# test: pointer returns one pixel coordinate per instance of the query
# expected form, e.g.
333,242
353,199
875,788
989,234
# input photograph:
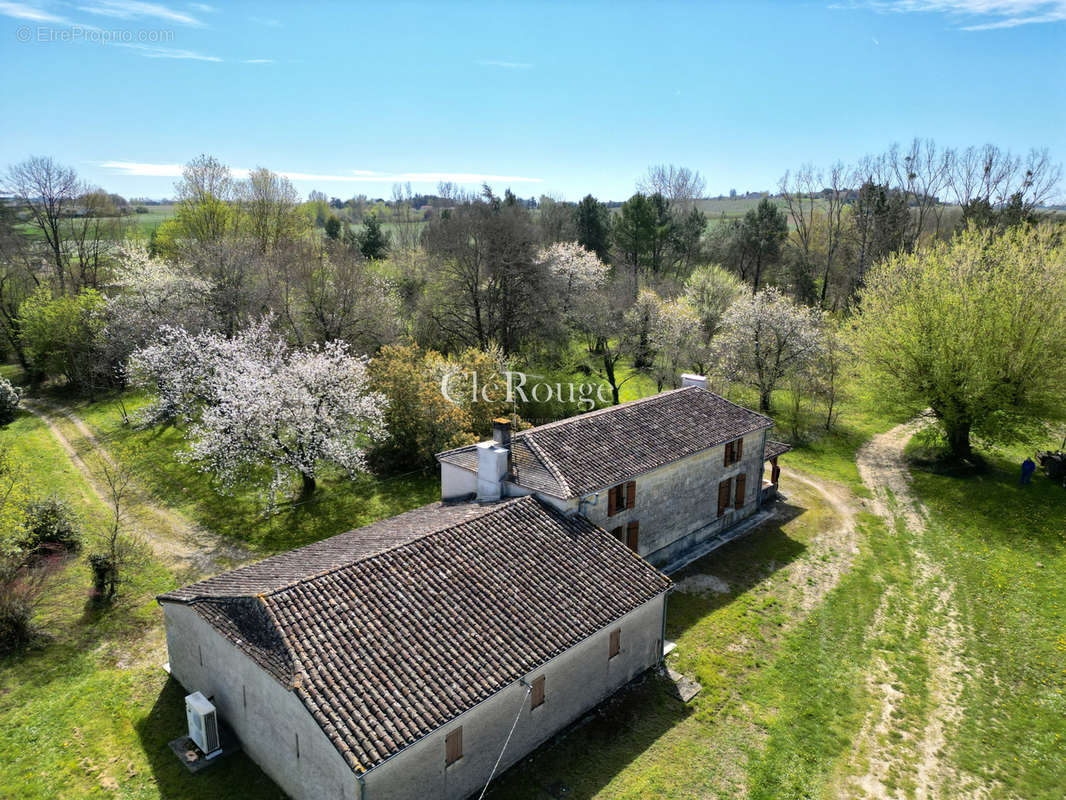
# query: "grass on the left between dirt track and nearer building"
87,711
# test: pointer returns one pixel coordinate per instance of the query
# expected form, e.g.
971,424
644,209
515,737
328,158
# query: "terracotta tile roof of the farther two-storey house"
603,449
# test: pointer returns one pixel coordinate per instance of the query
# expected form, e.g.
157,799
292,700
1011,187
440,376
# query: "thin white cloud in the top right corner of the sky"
975,15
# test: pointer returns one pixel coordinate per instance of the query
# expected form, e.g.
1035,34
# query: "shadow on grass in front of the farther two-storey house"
742,565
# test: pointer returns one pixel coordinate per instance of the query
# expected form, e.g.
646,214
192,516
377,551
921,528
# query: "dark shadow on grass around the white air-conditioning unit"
234,776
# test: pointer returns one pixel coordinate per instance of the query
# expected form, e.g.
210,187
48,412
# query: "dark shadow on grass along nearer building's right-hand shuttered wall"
585,758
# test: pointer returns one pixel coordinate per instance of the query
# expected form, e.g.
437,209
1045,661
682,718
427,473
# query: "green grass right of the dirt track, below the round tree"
1004,546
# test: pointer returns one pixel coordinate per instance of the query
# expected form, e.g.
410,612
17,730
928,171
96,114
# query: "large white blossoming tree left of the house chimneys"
254,404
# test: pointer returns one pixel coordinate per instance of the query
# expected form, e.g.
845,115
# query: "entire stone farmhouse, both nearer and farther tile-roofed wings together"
419,657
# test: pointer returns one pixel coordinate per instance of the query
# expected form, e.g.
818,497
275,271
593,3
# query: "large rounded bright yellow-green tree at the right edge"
973,330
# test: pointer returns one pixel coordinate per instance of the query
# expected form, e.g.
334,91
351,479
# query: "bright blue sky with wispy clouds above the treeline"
559,99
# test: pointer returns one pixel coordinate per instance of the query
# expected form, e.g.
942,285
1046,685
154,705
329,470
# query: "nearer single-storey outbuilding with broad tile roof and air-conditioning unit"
392,662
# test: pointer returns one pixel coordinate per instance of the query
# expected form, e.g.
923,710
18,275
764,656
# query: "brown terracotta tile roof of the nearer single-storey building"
432,613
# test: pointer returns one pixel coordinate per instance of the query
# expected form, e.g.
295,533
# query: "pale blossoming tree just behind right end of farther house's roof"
765,339
